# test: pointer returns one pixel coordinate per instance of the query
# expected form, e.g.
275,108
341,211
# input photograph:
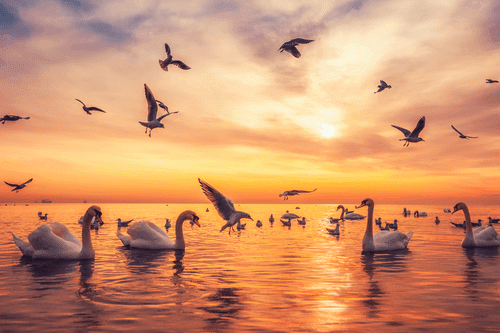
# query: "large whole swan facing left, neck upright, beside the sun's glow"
384,240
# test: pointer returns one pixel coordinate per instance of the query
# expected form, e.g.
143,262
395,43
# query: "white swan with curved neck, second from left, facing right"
146,235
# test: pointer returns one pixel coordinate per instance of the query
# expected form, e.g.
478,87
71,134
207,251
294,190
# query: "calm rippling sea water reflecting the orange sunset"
272,279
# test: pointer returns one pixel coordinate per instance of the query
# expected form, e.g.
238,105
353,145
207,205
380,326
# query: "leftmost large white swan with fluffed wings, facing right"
55,241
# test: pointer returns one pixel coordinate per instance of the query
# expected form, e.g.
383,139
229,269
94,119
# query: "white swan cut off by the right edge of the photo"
481,236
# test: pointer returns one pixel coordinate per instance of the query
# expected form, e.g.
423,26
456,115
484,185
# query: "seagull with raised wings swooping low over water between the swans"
224,206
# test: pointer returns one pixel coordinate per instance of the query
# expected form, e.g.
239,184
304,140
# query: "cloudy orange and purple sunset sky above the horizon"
252,122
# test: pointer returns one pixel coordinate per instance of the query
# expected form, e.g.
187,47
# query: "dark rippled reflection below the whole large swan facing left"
374,265
